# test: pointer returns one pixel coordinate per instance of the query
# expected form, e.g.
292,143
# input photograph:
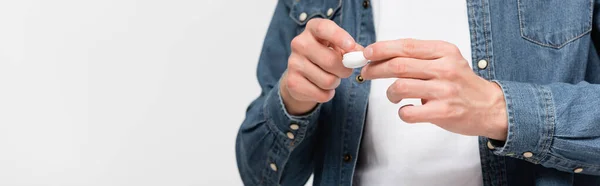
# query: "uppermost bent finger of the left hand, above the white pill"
327,30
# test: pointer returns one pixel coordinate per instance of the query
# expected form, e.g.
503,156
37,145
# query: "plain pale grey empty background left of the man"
126,92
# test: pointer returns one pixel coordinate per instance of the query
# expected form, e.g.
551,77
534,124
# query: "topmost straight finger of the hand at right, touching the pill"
411,48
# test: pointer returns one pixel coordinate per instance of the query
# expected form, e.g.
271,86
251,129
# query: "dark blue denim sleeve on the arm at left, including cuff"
272,146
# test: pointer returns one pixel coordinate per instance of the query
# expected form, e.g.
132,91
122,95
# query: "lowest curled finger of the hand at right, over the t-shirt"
431,112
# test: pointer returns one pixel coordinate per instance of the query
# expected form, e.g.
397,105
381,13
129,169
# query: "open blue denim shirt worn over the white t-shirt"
541,52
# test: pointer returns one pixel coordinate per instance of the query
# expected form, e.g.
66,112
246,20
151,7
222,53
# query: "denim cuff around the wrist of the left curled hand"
290,128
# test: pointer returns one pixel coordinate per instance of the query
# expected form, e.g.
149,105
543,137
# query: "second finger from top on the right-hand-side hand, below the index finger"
400,67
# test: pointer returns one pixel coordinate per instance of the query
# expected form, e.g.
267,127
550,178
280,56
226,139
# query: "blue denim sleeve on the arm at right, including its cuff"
556,125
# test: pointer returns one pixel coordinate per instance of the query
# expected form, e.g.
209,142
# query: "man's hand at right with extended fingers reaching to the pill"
454,97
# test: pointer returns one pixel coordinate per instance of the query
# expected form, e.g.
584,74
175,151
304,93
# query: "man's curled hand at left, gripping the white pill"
315,65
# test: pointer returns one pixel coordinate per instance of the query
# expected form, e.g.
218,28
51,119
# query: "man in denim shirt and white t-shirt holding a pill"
485,93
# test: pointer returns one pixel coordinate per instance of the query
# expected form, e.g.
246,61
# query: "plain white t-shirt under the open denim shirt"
394,152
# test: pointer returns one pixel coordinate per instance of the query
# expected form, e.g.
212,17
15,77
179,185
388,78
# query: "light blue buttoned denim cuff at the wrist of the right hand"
530,111
